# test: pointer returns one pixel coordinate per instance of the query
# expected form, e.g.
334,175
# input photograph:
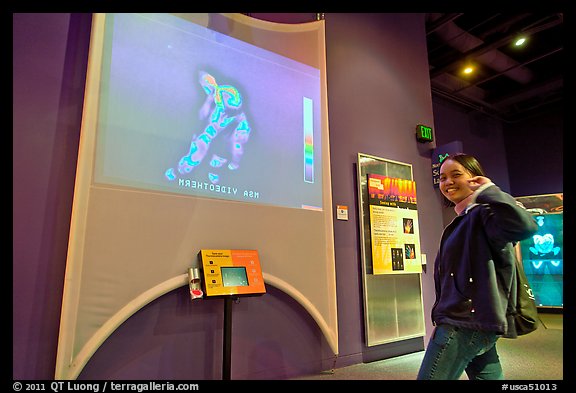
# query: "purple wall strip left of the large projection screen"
49,61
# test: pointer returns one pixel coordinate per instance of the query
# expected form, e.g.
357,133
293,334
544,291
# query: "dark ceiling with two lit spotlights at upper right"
511,84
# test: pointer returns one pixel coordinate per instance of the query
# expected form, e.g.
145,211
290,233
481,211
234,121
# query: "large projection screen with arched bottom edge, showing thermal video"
199,131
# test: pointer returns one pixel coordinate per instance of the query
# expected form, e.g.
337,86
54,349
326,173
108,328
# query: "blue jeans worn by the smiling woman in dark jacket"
453,350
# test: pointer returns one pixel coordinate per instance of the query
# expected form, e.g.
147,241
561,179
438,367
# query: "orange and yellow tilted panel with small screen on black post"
231,272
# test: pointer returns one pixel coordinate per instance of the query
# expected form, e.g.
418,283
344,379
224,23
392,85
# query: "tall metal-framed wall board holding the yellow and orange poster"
391,278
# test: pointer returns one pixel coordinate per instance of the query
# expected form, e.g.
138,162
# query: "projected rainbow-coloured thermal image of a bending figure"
221,110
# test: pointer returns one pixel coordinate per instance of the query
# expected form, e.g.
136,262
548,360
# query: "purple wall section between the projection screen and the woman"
378,91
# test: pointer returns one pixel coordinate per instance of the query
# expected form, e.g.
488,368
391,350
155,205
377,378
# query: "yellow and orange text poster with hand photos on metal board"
394,233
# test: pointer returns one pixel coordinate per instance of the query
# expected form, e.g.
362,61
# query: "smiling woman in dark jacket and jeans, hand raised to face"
474,273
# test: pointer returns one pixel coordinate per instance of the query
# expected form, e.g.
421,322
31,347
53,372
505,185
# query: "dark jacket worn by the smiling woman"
474,271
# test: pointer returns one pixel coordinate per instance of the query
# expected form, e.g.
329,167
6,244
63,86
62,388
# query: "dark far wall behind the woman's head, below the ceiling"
524,158
